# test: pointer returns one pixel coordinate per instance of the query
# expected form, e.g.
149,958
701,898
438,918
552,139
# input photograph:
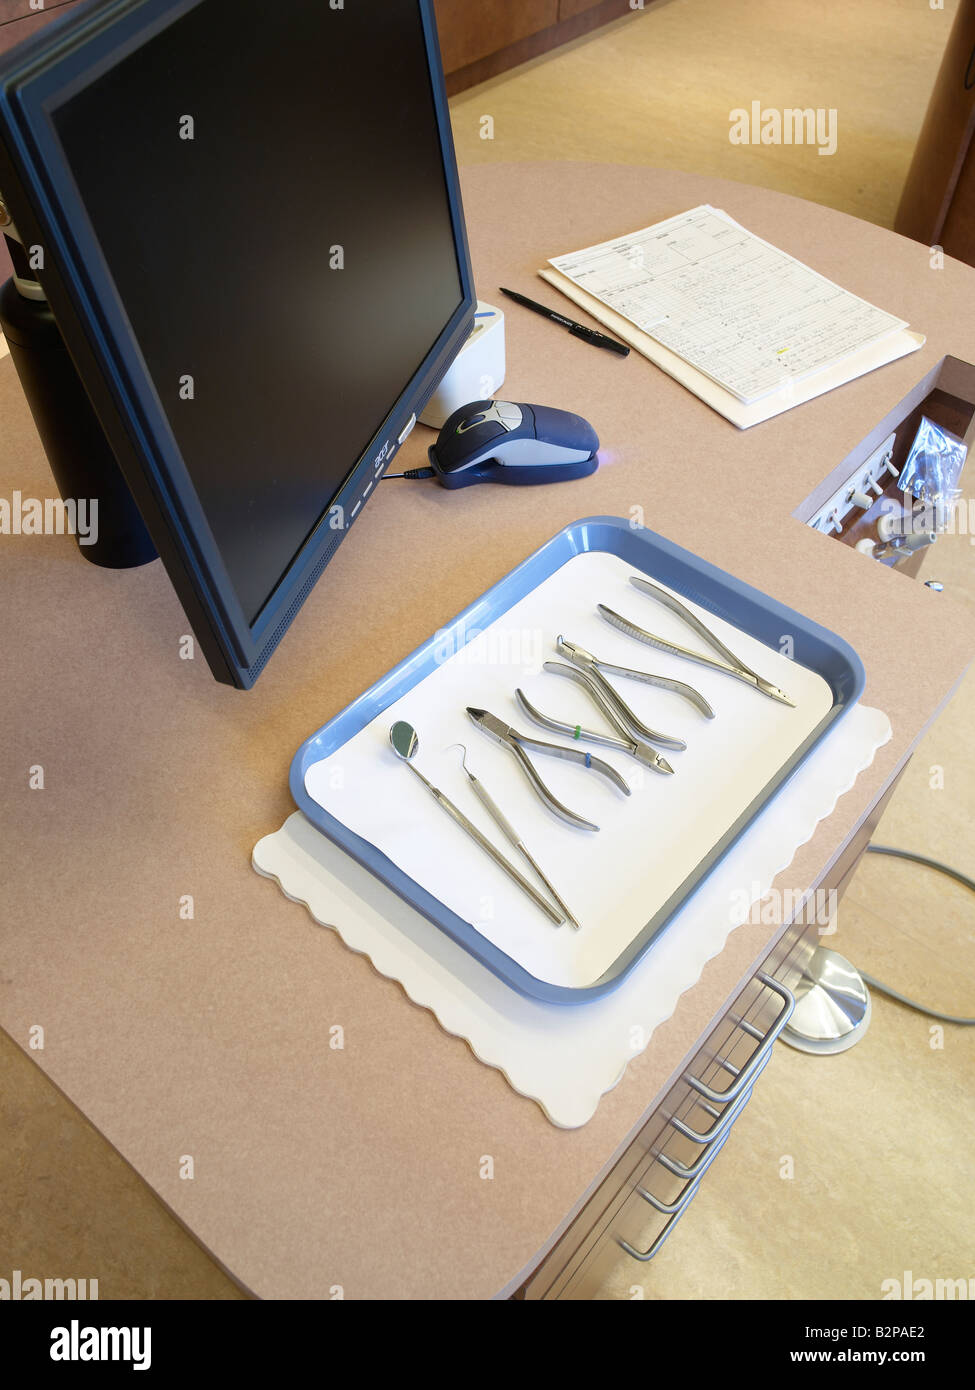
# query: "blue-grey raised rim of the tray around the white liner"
728,598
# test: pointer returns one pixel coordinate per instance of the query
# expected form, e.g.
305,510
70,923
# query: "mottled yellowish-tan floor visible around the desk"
883,1178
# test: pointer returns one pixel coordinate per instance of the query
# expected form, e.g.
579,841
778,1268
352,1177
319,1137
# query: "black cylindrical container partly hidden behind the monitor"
77,450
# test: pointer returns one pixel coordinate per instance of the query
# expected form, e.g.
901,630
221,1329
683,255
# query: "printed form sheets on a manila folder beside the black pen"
746,327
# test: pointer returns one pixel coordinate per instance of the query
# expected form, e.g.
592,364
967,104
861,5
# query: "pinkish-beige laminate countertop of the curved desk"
209,1038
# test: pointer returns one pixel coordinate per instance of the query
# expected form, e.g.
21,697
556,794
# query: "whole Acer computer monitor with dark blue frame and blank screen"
255,251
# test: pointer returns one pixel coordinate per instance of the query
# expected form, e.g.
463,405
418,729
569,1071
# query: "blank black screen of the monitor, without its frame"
268,187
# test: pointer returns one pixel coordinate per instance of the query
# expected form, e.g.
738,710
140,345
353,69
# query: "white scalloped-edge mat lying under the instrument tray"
567,1057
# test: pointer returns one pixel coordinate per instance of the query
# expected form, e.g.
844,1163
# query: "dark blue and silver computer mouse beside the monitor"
501,441
